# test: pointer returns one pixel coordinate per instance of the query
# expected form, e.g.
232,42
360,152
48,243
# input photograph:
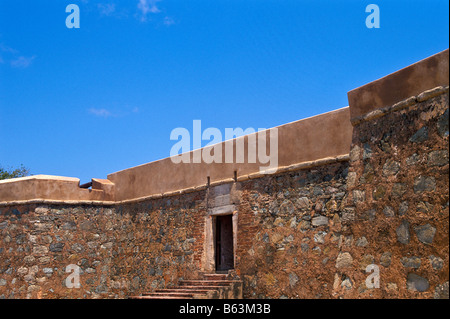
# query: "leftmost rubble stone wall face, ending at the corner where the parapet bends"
39,242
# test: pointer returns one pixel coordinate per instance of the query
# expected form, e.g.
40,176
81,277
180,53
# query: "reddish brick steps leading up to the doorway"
211,286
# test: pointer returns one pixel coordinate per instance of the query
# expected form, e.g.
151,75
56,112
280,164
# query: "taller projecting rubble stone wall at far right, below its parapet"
398,189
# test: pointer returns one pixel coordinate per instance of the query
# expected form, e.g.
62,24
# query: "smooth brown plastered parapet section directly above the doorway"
322,136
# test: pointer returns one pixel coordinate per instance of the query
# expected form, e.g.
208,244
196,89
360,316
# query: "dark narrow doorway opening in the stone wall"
224,243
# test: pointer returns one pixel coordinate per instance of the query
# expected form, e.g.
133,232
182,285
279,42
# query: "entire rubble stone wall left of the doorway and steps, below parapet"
121,251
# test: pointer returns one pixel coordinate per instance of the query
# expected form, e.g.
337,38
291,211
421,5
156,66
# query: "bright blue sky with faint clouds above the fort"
91,101
